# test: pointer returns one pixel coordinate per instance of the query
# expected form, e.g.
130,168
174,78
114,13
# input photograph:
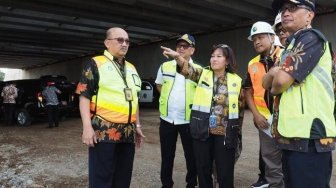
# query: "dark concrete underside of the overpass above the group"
57,37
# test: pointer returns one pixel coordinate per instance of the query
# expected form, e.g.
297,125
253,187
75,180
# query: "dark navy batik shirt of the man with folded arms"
299,63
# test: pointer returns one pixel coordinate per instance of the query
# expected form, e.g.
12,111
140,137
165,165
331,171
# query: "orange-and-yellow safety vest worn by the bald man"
111,103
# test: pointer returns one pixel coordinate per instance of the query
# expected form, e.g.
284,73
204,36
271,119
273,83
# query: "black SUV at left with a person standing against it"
30,103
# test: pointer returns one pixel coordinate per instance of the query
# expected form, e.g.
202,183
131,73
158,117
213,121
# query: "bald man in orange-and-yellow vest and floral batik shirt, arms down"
108,90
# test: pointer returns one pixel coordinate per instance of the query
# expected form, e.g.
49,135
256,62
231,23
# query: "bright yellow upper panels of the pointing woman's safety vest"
204,93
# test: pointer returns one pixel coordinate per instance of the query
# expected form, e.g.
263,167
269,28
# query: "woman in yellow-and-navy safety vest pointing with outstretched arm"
216,116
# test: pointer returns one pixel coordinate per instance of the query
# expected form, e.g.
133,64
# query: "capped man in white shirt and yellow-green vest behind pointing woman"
176,96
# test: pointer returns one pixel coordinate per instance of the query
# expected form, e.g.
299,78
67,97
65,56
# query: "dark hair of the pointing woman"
229,55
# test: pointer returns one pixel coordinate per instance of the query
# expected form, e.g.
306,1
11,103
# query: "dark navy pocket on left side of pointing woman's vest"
199,125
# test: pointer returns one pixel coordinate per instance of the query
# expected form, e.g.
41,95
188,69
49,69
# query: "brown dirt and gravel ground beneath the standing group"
36,157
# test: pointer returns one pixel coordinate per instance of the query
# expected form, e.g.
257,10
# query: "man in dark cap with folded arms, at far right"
304,125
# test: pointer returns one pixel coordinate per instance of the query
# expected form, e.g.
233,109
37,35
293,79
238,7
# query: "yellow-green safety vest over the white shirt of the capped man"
168,73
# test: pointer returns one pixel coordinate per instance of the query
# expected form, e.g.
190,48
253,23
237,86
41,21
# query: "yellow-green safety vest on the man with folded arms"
312,99
